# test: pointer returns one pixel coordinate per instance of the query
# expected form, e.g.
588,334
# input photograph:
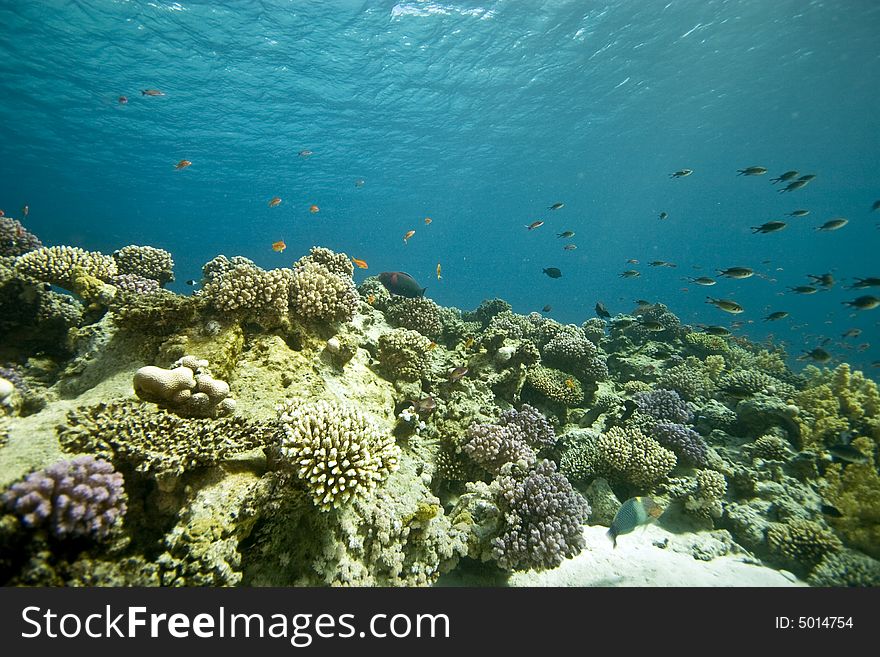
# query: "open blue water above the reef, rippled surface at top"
479,115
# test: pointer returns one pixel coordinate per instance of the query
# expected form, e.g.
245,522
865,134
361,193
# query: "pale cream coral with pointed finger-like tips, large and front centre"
337,451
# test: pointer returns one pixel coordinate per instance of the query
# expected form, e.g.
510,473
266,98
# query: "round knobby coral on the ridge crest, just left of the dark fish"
318,294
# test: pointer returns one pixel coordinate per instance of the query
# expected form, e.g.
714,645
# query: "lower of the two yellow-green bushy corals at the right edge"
854,489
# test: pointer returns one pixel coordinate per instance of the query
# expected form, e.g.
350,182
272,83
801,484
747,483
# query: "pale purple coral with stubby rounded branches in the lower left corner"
82,497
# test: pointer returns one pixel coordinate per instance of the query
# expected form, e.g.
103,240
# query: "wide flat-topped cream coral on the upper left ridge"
60,265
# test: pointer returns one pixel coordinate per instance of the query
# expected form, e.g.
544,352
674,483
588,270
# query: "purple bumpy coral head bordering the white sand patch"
543,517
